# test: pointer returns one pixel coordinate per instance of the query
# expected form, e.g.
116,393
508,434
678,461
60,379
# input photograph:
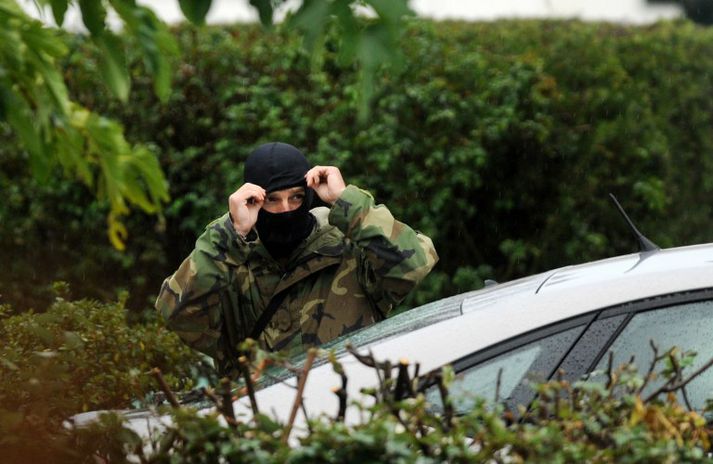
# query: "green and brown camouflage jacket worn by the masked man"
353,268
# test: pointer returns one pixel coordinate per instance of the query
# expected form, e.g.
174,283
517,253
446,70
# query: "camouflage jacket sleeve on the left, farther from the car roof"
190,299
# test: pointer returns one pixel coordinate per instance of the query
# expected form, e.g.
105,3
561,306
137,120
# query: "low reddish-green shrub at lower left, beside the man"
77,356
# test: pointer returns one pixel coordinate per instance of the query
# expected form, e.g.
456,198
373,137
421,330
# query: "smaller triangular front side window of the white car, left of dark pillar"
532,362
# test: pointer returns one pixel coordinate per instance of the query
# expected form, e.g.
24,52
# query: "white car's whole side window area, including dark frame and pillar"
580,345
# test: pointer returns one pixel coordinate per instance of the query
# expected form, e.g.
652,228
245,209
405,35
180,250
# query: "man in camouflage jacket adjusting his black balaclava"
354,264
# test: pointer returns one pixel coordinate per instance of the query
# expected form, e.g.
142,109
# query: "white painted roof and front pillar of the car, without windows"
500,312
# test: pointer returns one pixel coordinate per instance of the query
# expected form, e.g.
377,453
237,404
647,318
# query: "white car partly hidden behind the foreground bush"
568,319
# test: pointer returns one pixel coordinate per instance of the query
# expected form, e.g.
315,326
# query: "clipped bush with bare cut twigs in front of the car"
568,422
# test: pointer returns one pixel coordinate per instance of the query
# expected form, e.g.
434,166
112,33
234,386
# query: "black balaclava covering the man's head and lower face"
277,166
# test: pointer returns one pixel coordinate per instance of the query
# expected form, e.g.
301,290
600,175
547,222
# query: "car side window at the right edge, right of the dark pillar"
687,326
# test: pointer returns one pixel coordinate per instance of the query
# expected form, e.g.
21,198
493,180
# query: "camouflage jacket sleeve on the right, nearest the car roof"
392,257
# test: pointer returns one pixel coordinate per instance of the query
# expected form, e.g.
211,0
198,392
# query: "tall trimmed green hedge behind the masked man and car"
500,140
